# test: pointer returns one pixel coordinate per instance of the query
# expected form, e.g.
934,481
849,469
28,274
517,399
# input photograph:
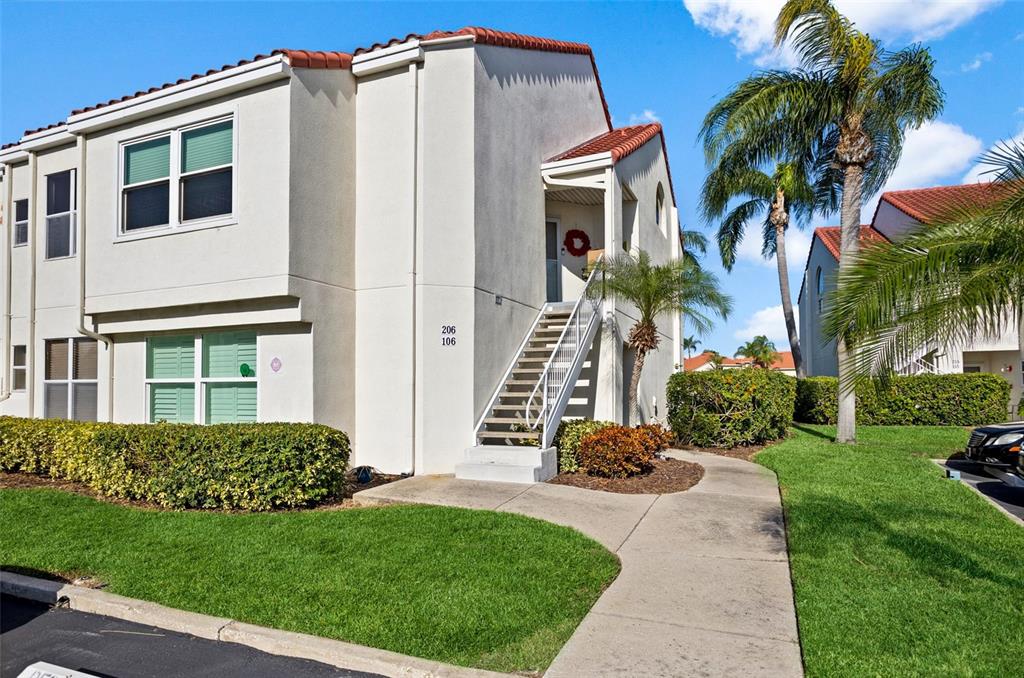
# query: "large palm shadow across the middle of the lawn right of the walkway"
846,526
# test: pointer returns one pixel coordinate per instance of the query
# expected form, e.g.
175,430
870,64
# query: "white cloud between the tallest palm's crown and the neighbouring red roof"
932,155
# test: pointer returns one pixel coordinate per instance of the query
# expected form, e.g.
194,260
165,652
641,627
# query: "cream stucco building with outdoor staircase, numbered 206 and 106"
367,241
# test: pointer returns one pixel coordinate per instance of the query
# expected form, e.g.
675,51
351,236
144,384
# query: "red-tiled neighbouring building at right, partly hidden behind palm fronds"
900,213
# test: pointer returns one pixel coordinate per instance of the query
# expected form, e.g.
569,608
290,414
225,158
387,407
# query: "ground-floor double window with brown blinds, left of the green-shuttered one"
70,379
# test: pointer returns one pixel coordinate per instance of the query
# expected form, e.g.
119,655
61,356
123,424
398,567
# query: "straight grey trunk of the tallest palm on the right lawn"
849,246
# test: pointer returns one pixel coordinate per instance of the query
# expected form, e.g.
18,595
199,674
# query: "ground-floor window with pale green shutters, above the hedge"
203,378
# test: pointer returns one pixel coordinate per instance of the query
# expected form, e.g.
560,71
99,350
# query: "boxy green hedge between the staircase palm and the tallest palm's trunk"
731,408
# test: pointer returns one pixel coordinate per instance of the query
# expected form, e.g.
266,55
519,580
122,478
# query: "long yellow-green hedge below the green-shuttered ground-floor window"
236,467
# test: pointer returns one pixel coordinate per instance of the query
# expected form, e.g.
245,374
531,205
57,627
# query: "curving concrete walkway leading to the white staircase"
705,588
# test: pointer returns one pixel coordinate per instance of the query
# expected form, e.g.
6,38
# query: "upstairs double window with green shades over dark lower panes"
182,178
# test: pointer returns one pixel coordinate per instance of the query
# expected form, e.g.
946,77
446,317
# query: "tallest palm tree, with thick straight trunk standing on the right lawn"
851,102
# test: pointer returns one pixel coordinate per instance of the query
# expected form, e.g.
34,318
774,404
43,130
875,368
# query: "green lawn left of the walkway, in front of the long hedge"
475,588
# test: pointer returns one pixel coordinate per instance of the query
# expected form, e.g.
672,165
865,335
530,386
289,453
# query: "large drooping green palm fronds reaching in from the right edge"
959,278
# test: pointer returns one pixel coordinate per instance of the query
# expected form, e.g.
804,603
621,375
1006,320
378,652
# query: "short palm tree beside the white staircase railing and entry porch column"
679,286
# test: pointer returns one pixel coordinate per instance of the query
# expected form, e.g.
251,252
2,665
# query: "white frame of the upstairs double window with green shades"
176,225
